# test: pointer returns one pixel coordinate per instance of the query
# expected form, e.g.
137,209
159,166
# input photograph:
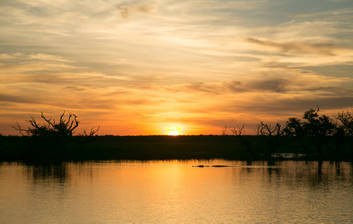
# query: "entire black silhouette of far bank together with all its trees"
315,136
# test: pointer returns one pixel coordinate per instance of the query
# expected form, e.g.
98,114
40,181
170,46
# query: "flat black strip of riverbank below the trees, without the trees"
80,148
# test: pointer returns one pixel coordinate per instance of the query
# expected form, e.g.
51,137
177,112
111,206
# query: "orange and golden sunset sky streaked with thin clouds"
143,67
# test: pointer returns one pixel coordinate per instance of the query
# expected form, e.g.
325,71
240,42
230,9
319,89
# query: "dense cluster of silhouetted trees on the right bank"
328,136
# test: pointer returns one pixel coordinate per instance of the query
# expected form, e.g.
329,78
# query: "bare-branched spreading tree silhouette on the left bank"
65,127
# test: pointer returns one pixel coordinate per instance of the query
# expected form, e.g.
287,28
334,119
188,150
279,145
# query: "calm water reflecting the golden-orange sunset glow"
176,192
